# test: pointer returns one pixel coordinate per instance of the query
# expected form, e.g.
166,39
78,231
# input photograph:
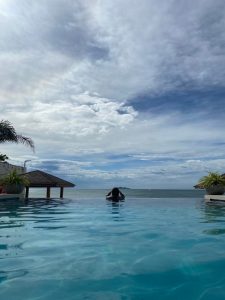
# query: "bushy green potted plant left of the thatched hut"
14,183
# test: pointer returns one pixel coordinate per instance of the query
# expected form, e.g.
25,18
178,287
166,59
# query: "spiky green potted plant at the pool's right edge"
214,183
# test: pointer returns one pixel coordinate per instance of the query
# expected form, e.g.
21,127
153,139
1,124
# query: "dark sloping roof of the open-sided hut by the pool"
41,179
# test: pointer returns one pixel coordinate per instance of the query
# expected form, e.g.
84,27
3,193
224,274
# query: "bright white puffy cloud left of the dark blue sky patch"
82,115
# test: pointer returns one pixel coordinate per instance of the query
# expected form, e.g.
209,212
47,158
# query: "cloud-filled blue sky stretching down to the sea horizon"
115,93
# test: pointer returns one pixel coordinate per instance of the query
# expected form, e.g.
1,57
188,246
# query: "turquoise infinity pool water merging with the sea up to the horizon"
84,247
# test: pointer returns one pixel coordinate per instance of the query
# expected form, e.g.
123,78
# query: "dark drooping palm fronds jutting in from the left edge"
8,134
